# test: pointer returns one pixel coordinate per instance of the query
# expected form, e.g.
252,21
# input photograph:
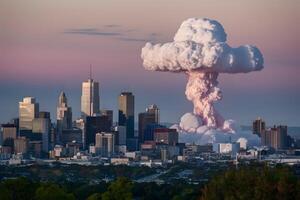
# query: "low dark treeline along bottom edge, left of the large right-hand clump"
120,189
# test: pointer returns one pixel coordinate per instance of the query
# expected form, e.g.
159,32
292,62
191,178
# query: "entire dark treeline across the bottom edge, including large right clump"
247,183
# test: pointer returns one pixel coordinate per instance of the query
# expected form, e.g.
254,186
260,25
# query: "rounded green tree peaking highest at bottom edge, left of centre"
121,189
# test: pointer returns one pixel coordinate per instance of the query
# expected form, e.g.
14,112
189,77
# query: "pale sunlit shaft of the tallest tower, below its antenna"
90,98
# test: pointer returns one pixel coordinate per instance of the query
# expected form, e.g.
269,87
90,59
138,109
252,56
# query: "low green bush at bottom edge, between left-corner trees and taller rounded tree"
52,191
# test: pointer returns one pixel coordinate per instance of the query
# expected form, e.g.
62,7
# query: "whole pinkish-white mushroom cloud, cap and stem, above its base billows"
200,51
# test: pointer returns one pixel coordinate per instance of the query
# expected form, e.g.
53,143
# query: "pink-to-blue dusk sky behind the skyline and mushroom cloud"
53,54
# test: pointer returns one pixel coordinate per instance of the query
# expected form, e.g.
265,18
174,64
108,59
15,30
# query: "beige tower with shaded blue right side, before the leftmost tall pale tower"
41,130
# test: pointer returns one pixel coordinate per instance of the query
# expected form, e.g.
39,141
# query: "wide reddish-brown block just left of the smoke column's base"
166,136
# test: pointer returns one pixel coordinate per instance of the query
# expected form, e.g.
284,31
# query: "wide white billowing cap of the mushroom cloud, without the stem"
200,44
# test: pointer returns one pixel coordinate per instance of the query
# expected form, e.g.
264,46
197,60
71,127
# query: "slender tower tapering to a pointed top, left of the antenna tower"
64,113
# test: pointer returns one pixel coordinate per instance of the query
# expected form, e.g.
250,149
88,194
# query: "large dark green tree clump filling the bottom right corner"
253,183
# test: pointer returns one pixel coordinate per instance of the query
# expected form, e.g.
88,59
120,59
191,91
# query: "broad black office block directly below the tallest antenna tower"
93,125
